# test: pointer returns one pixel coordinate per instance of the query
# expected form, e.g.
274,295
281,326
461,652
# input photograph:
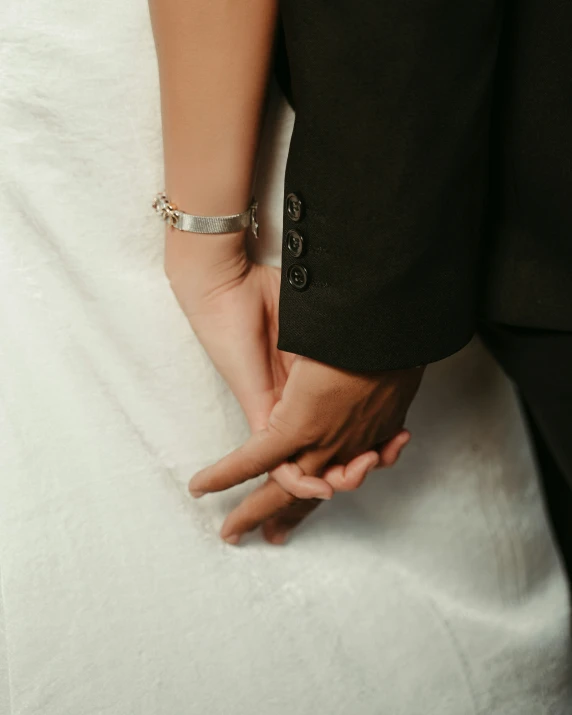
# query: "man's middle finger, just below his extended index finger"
264,502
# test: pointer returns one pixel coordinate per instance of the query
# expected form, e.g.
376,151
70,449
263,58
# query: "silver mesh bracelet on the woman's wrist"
206,224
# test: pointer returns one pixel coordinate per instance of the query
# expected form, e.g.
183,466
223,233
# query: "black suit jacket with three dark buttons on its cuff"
429,177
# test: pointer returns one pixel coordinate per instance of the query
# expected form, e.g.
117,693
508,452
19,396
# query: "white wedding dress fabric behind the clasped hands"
434,589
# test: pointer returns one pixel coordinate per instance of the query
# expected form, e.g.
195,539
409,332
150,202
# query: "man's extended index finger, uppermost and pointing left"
264,451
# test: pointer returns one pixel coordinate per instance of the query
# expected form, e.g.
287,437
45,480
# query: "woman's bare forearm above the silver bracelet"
214,58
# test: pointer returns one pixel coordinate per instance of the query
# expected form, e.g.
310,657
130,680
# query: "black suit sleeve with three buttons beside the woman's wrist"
389,161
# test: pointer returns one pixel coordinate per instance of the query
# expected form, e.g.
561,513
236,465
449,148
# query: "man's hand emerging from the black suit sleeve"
325,418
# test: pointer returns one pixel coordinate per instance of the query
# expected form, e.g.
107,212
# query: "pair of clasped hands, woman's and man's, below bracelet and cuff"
316,429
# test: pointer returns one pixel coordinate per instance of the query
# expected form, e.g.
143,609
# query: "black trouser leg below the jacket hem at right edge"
540,364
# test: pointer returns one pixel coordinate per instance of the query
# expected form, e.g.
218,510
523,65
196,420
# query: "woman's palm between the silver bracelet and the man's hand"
231,304
